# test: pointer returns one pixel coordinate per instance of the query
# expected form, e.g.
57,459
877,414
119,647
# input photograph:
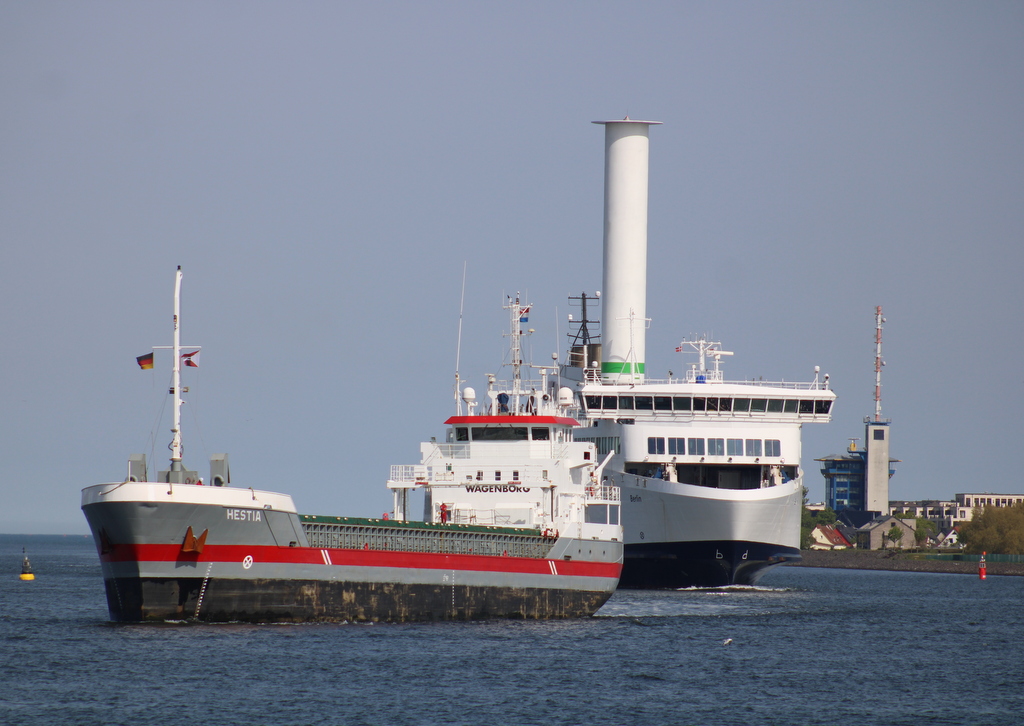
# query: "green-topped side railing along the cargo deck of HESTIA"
434,540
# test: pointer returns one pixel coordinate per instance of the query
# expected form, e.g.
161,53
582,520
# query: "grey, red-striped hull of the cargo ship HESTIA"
183,556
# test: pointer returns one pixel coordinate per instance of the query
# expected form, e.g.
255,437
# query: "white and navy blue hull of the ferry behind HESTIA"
681,536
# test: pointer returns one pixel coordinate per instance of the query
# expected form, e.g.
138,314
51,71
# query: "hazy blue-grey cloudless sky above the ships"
323,172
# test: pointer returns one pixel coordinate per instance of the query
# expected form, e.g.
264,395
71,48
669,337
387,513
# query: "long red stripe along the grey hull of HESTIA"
361,559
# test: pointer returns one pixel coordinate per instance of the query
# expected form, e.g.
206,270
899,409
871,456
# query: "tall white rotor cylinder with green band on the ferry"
624,324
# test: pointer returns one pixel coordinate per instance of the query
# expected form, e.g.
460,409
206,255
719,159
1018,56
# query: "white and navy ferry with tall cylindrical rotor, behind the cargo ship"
709,469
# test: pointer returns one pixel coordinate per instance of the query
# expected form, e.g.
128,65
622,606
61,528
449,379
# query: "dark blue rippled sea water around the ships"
808,647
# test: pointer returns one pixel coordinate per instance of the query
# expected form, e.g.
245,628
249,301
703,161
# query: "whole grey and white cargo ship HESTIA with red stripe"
516,526
